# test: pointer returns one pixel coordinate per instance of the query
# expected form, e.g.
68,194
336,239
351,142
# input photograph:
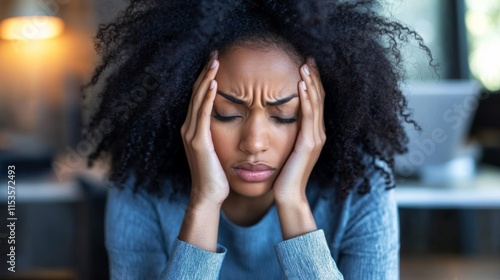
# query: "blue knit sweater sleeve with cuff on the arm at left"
136,246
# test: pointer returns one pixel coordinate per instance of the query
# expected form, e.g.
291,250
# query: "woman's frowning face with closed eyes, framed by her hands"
255,118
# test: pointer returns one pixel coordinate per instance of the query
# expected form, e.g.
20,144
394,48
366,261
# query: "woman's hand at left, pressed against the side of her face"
209,182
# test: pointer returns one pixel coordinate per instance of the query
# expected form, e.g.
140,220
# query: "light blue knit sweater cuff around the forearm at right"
307,257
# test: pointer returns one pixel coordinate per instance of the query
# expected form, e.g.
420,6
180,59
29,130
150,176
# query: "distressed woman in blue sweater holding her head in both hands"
261,145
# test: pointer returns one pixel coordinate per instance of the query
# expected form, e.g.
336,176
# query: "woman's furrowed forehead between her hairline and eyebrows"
244,68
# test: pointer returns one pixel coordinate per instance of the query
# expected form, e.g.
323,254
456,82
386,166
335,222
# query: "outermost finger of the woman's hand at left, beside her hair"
198,97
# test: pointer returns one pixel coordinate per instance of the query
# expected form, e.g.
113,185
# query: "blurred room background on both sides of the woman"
448,183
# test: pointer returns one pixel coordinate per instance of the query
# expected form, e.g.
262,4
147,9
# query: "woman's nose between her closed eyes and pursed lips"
255,135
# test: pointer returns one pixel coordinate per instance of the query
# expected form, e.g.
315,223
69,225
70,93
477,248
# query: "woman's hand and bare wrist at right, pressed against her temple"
290,186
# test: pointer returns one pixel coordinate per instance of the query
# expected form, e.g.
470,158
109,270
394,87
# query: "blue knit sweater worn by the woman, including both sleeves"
356,239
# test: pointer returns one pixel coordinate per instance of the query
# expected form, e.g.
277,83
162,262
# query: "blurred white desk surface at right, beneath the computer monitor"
483,191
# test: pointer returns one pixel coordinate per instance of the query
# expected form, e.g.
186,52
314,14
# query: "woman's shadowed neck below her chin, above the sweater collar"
247,211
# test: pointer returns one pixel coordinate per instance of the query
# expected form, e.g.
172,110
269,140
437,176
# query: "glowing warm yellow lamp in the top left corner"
29,20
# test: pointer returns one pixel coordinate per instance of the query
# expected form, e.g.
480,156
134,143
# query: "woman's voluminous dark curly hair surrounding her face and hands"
154,50
